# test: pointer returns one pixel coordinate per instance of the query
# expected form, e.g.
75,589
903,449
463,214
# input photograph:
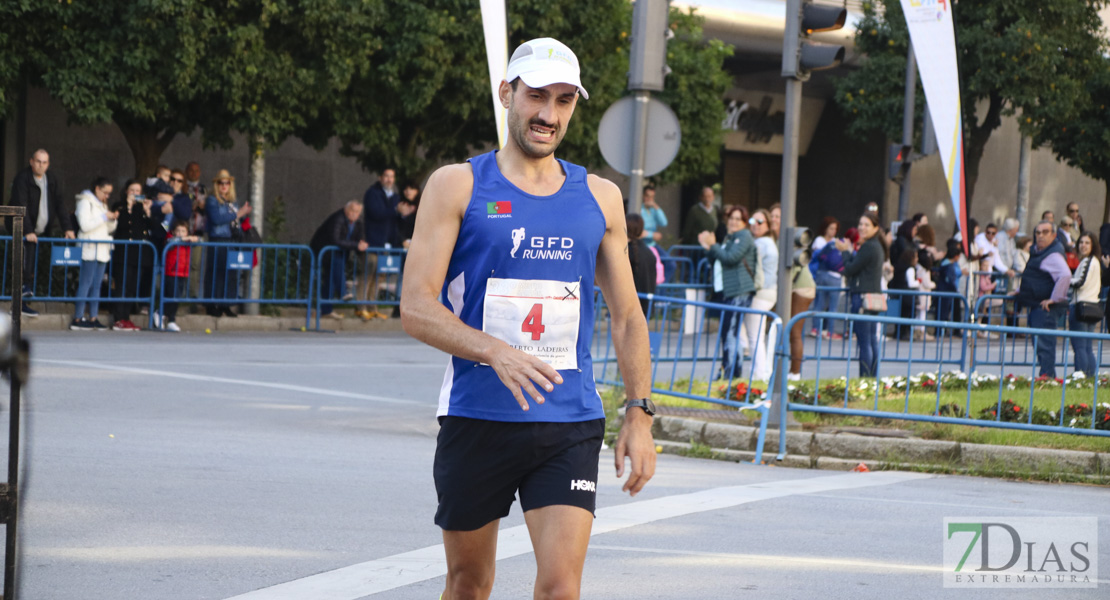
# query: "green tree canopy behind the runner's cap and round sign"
427,101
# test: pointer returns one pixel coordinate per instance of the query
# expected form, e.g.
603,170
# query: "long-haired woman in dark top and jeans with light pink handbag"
864,272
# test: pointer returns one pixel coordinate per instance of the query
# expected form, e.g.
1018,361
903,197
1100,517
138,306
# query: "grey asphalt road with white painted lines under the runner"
299,466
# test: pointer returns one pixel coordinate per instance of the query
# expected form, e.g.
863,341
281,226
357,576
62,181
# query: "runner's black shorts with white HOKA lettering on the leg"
481,465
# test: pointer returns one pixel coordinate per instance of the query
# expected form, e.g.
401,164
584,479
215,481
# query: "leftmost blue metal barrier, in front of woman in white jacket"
56,265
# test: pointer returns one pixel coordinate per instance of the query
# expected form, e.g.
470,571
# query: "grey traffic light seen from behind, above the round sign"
650,35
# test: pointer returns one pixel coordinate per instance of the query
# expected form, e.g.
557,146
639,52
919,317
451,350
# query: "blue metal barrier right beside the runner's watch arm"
688,347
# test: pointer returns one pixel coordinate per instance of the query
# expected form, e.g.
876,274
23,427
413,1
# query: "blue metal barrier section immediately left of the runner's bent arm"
372,279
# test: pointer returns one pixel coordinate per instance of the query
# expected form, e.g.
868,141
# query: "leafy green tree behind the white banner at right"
1025,58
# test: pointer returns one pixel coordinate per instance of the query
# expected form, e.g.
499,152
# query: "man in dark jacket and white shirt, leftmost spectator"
38,191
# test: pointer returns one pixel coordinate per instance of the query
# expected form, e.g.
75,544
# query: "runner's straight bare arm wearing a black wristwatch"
630,337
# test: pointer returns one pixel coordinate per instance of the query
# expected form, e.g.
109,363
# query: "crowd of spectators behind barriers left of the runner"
179,208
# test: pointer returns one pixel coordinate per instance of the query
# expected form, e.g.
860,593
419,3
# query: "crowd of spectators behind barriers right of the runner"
1053,279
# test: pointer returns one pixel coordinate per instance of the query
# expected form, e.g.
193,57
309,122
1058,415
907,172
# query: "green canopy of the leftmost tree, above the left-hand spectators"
164,68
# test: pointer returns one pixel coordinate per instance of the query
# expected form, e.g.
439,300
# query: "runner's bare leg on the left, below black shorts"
472,557
